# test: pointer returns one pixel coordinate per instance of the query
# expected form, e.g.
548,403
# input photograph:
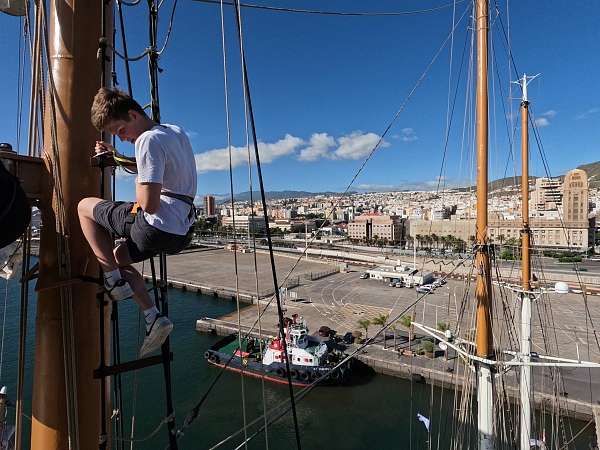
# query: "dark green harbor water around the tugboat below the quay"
380,412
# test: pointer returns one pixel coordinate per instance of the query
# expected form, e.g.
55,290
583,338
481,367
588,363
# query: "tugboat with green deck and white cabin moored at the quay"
310,356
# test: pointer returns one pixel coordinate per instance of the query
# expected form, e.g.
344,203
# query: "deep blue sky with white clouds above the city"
324,89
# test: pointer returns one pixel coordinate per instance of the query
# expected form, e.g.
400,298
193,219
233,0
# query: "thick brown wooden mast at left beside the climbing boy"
74,30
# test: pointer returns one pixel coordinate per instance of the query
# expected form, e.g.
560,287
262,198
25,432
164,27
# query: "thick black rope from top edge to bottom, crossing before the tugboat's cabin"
268,231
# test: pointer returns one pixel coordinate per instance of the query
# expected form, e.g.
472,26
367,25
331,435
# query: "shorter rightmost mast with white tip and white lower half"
525,294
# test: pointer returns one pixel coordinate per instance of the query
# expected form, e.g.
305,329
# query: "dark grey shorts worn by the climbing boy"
143,240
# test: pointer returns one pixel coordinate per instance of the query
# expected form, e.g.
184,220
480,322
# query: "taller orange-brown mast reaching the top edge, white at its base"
483,335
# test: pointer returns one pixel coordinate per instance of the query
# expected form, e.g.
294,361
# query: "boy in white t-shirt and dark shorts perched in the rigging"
161,216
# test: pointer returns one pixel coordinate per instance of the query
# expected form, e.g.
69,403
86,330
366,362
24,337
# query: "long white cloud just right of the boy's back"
218,159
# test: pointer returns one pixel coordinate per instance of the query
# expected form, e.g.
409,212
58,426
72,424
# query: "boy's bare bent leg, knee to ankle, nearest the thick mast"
97,236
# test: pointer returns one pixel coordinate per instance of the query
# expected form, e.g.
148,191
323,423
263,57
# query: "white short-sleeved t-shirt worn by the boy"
164,155
